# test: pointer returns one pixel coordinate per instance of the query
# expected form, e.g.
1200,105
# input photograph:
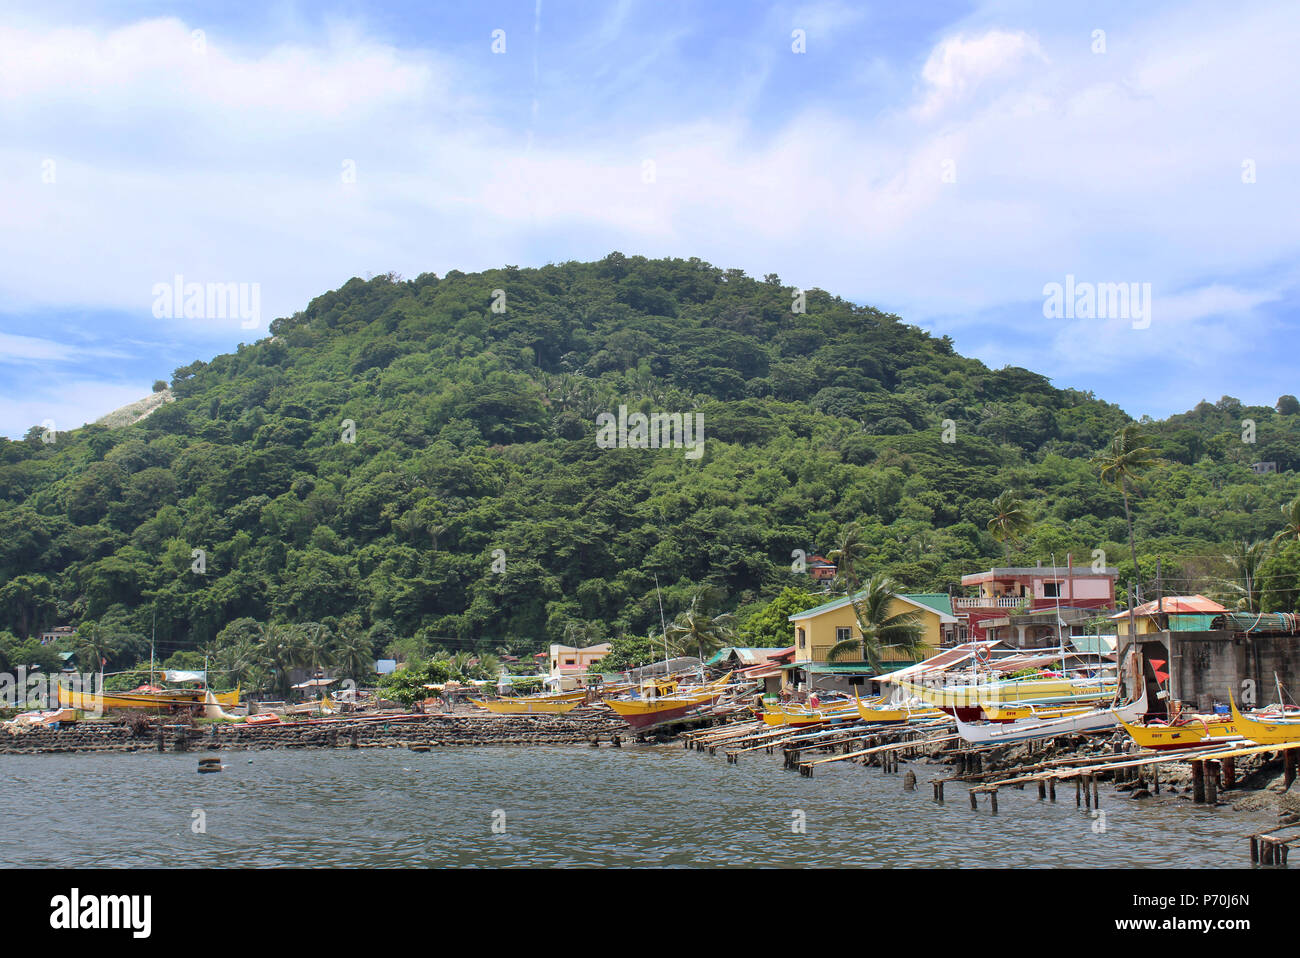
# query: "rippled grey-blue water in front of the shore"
564,807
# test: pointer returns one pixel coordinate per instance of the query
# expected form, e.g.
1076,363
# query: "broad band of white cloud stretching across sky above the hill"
226,167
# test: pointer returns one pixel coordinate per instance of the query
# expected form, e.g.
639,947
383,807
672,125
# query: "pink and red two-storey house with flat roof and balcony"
1007,596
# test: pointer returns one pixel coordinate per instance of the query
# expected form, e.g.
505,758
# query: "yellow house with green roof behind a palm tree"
820,628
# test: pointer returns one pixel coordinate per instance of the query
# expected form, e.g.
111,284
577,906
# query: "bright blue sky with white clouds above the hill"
950,164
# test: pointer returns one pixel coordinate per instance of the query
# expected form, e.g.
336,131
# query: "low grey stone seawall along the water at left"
362,734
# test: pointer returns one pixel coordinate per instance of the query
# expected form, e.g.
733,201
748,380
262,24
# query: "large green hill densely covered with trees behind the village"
474,402
